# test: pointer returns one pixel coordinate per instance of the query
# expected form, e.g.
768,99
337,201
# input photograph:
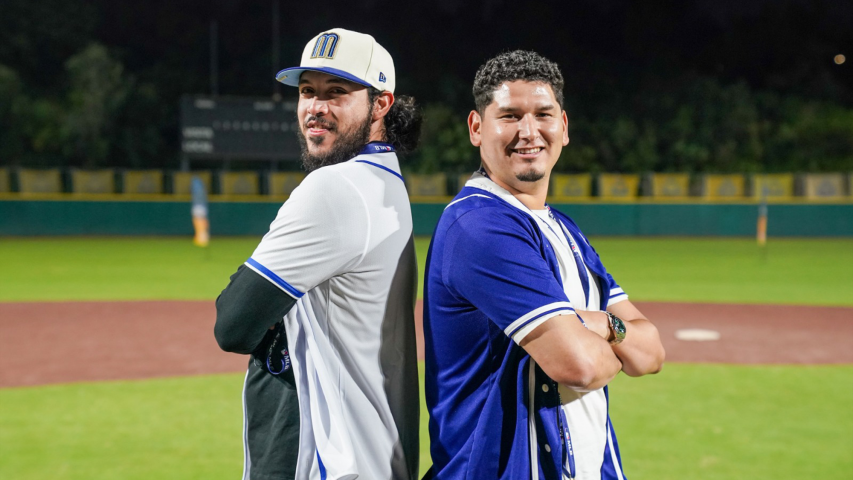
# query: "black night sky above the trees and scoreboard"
784,45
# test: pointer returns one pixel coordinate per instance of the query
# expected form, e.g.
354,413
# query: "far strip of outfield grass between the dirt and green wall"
792,271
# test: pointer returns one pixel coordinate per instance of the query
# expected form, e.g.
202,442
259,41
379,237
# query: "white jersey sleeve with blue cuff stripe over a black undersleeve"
320,231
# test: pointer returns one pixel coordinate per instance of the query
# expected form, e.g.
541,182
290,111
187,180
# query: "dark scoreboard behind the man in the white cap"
238,128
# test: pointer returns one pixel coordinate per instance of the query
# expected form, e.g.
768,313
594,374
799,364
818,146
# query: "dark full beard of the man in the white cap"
347,145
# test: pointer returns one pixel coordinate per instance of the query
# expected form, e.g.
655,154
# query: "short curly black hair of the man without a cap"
511,66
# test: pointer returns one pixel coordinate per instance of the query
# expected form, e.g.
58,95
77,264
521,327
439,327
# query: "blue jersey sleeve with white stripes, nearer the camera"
493,261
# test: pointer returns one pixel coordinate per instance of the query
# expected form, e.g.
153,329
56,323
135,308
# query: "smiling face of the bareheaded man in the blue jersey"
520,135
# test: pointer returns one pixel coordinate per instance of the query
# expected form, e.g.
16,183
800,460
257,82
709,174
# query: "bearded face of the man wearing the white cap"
334,119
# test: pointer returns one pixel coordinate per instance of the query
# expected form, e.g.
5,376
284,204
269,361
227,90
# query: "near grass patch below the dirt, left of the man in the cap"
177,428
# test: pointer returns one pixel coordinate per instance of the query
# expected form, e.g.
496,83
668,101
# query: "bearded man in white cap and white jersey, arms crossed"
325,304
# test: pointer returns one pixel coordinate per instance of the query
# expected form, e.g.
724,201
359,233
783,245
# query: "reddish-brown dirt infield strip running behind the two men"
44,343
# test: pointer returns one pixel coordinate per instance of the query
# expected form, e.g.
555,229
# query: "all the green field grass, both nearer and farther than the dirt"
691,421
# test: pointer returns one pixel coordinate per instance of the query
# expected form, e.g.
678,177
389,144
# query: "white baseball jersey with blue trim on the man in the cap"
342,246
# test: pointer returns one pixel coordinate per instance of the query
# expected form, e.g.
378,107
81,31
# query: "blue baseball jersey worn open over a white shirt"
490,272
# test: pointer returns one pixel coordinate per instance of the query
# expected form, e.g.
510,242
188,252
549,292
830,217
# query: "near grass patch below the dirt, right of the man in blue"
736,422
